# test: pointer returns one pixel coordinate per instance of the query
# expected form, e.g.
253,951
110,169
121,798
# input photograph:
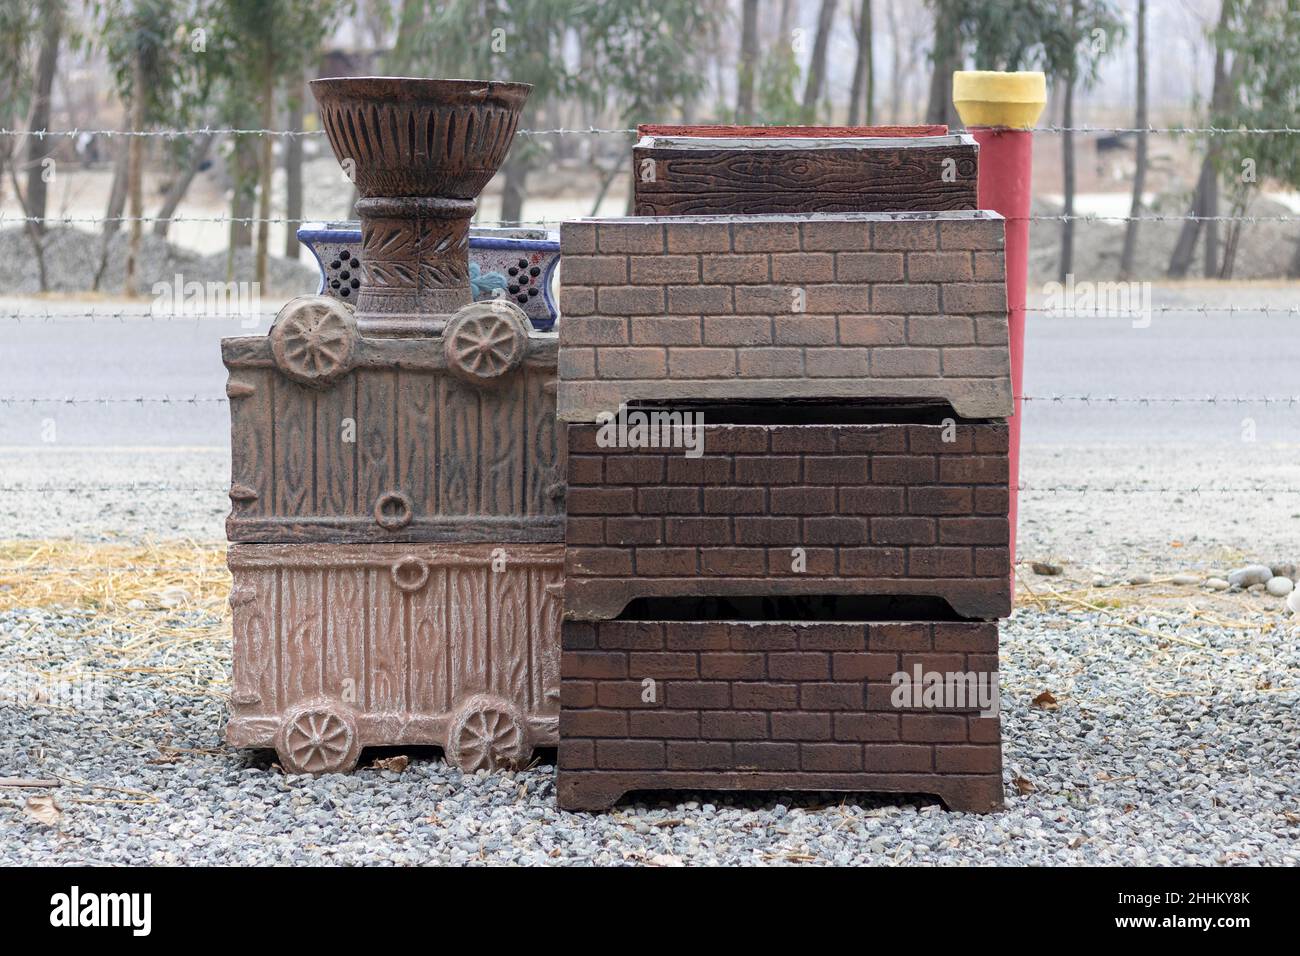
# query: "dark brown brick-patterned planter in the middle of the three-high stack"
876,509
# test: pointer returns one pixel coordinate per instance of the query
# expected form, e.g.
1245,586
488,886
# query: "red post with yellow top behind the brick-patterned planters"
1000,111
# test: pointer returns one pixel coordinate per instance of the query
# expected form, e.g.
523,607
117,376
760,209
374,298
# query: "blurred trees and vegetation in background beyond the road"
161,67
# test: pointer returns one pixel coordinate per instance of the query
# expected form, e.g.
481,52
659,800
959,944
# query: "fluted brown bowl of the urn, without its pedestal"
410,137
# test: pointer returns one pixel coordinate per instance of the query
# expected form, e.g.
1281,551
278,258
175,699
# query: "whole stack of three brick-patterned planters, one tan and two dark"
734,621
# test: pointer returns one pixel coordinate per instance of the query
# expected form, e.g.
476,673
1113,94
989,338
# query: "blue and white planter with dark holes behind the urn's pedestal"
519,265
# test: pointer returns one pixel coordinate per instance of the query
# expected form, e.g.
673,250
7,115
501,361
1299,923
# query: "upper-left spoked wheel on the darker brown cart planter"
314,340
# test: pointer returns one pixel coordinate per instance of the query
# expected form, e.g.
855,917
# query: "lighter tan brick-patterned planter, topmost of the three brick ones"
907,306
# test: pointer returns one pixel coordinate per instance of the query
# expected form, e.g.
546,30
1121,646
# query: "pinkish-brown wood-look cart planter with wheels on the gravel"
396,644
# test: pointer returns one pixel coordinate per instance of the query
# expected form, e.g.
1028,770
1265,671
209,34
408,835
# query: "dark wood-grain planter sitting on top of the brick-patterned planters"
703,175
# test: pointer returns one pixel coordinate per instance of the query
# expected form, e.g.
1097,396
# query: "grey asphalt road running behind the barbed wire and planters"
1181,354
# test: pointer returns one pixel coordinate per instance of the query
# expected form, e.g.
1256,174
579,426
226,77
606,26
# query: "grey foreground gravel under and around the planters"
1171,750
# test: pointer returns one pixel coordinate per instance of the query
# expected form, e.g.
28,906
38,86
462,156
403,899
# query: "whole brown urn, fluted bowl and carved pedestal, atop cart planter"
421,152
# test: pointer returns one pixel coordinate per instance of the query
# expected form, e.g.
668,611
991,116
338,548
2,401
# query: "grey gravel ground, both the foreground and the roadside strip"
1172,742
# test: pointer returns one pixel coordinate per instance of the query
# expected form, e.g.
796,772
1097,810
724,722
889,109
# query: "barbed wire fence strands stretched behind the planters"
1098,401
